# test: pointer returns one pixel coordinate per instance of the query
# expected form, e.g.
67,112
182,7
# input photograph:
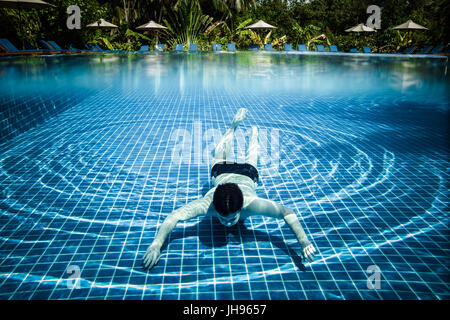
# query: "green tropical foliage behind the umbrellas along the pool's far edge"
222,21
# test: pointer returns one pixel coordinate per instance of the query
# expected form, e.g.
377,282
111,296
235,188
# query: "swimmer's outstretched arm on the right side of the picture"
272,209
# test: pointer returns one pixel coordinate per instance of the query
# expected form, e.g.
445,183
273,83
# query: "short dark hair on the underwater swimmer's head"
228,198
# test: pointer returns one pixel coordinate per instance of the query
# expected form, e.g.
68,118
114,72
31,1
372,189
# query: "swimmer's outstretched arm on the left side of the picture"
189,211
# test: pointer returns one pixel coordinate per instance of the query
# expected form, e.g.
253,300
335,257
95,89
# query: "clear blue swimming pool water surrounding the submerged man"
91,164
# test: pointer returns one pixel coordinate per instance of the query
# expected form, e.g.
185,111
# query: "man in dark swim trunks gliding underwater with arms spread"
232,198
